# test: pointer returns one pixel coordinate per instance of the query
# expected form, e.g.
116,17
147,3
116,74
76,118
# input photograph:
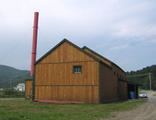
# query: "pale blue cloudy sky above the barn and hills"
124,31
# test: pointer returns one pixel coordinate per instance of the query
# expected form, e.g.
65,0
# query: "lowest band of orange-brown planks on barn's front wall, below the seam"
68,93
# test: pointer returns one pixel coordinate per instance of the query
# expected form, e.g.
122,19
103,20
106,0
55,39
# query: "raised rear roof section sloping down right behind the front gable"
101,57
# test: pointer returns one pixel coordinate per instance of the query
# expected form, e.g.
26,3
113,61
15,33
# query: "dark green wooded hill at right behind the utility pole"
142,77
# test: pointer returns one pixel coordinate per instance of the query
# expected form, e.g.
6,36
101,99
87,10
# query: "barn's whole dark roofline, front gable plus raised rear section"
91,53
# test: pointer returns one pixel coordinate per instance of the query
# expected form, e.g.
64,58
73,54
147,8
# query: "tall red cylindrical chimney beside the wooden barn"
34,43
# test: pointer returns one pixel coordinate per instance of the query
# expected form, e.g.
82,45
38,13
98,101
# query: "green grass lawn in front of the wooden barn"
20,109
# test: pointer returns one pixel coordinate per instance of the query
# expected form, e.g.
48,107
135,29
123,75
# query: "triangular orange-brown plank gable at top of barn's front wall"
66,53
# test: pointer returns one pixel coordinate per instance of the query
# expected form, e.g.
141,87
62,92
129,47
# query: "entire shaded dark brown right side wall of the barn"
113,84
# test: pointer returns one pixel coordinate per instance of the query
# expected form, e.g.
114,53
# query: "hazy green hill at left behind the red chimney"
9,76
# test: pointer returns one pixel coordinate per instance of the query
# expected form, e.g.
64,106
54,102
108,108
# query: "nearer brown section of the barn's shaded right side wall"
108,84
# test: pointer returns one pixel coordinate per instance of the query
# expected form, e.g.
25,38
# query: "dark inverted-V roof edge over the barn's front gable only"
64,40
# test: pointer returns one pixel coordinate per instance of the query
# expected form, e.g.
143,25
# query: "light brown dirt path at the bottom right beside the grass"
144,112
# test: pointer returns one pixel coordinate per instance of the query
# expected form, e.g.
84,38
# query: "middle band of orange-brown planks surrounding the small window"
63,74
